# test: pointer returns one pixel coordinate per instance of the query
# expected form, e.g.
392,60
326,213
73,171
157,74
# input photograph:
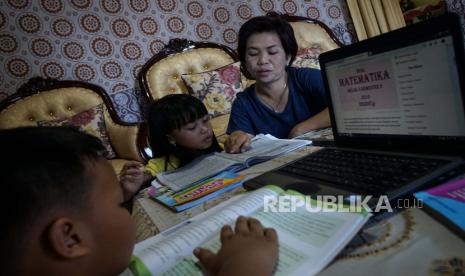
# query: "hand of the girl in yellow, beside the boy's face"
131,178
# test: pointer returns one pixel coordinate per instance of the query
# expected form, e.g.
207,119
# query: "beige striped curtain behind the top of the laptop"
374,17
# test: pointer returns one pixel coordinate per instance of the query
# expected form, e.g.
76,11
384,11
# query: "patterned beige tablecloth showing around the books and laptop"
408,242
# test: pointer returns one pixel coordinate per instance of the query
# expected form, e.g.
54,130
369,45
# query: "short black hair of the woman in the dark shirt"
264,24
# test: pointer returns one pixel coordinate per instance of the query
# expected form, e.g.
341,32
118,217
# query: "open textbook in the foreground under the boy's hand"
308,240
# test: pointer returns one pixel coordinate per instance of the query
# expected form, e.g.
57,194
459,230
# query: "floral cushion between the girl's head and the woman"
217,89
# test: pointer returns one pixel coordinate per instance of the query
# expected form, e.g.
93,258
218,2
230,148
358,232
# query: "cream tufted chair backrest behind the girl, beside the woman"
161,75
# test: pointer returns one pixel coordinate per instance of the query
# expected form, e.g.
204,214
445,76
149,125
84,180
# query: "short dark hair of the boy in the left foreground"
43,168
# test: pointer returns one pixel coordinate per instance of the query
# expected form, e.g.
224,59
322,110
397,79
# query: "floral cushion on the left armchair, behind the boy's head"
90,121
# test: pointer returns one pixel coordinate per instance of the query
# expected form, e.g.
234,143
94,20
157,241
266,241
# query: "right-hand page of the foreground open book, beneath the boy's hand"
308,241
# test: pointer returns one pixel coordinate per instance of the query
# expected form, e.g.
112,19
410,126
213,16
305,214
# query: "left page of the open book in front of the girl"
200,169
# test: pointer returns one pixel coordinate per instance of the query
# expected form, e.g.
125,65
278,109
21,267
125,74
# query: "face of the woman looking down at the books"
265,57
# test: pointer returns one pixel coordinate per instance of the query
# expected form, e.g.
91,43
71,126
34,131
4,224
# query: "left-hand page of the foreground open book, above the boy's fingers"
166,249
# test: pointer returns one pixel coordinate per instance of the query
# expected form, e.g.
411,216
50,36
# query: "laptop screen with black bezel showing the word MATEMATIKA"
402,86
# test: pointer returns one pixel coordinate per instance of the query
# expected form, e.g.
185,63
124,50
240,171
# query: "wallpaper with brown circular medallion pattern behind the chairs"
106,42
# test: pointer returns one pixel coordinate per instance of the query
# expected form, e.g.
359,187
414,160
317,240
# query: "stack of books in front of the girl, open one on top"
209,176
